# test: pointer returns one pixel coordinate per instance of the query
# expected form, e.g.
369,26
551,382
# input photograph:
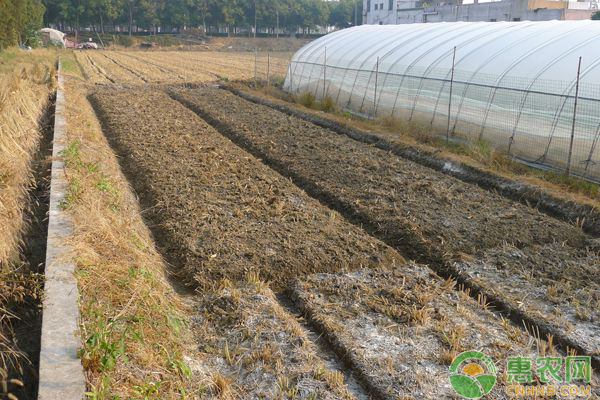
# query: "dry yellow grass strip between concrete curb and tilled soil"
132,321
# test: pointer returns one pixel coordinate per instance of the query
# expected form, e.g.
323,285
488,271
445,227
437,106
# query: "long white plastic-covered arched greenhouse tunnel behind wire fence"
512,84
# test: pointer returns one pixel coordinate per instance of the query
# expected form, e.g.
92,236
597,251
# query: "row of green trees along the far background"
175,15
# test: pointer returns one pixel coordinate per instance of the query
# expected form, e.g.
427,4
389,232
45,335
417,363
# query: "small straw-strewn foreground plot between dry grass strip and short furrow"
250,348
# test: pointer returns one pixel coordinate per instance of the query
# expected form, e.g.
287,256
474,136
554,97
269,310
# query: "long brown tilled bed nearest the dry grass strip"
216,211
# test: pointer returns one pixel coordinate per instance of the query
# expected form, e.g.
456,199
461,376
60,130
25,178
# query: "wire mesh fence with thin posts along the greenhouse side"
533,120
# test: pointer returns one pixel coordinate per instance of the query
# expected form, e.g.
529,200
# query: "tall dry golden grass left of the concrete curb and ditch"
26,82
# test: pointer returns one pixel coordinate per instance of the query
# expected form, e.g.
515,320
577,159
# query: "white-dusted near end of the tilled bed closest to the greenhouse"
556,283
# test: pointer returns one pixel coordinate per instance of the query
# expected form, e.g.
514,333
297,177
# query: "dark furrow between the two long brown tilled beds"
420,249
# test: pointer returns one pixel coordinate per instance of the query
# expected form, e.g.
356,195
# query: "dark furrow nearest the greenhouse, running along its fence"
587,216
